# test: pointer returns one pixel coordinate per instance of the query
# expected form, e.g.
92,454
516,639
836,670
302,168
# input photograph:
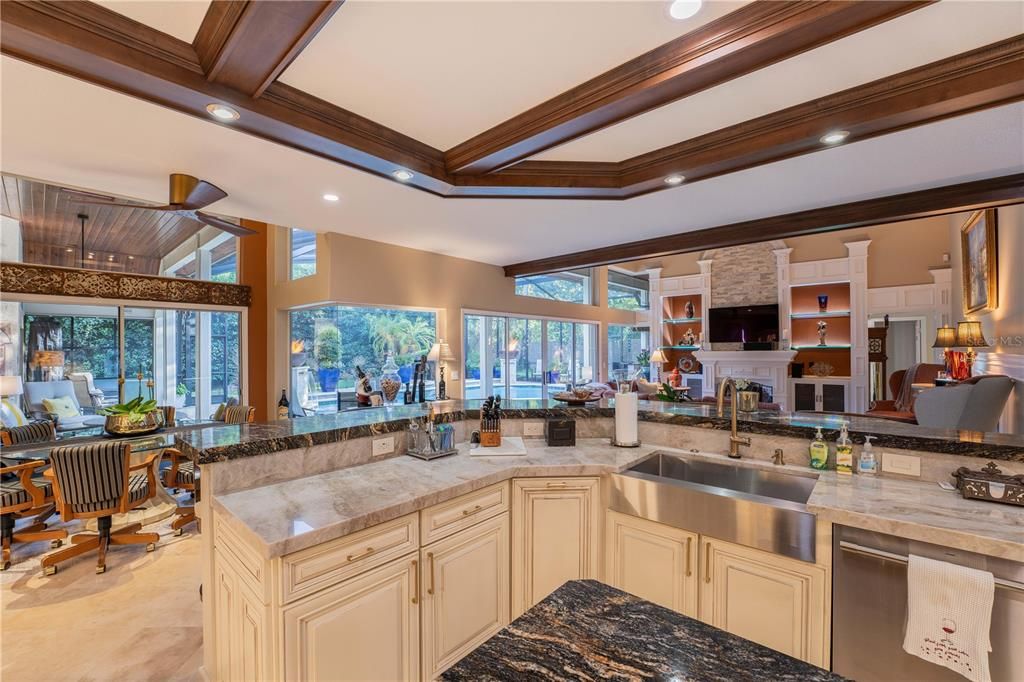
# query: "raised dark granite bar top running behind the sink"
221,444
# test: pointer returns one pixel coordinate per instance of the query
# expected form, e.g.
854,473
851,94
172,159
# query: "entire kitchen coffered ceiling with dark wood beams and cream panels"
490,103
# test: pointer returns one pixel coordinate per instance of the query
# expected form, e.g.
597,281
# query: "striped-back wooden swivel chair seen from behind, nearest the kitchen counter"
96,481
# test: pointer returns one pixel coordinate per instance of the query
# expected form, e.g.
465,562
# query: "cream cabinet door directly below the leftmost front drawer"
366,628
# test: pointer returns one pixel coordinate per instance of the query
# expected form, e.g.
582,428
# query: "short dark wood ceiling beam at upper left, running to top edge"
247,45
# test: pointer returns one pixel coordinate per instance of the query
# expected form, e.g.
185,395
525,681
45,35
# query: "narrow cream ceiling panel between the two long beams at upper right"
921,37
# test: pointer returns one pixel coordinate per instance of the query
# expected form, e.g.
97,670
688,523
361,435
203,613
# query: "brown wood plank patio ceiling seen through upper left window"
119,239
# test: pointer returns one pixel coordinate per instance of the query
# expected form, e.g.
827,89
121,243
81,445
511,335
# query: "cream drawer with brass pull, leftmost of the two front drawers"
321,567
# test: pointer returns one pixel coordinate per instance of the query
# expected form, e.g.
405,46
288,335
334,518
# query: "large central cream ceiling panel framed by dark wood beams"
443,72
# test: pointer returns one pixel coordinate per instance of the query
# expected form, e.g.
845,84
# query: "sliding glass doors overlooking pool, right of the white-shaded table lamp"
521,359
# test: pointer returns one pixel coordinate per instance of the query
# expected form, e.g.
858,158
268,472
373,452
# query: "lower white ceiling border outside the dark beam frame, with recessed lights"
121,155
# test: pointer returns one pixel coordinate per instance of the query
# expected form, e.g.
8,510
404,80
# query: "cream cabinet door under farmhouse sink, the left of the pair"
654,562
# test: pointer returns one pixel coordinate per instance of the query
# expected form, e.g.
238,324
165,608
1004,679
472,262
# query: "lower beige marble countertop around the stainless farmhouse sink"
292,516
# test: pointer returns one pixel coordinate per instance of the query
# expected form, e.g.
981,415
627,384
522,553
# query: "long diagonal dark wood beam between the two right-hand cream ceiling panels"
750,38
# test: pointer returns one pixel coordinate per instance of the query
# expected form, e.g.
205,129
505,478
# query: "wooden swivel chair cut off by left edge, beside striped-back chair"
23,496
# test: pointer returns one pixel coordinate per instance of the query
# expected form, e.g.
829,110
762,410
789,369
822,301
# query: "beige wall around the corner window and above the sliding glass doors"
361,272
